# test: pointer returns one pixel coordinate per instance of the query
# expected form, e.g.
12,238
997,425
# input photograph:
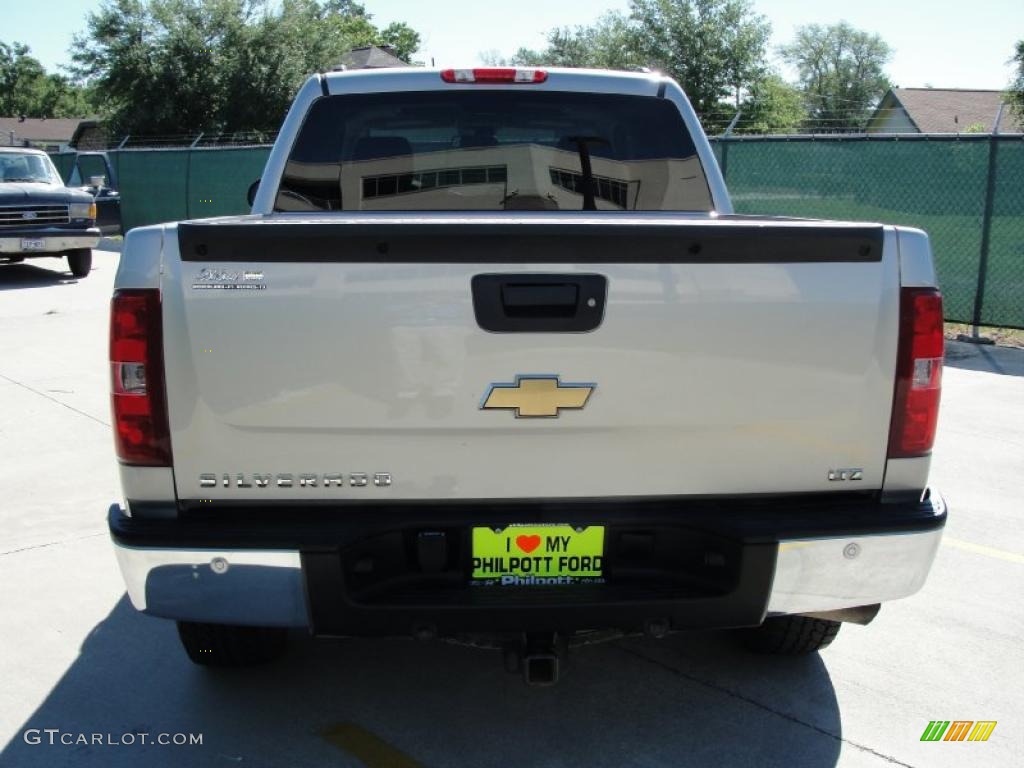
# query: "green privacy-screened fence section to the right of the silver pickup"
938,185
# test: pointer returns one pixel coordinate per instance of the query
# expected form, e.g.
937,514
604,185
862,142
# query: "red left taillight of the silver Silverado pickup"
142,435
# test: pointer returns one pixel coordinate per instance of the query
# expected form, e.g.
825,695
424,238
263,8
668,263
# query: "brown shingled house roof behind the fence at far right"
953,110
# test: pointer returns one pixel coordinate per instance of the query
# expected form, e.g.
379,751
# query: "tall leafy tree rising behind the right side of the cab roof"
715,49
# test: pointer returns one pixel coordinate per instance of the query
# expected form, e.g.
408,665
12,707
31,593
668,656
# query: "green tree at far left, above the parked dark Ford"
27,91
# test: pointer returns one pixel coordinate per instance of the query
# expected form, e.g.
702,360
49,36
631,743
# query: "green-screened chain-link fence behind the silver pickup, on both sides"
967,192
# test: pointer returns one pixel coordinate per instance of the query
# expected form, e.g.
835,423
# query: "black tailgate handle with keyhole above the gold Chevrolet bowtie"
539,304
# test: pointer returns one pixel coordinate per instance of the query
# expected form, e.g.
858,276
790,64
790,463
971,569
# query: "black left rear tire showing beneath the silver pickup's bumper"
225,646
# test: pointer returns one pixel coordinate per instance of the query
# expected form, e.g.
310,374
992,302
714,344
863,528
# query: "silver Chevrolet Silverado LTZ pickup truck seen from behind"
493,360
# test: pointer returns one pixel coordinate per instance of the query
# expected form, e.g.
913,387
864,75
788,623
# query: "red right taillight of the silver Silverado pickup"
919,373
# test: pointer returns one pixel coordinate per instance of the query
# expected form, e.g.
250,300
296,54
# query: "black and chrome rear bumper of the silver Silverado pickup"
343,572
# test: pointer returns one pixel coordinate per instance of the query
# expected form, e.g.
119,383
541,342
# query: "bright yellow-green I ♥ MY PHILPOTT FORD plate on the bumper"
539,556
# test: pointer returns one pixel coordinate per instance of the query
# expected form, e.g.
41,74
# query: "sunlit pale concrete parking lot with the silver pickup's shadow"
75,657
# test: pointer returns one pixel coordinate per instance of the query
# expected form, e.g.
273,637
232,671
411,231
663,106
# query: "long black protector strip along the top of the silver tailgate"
590,242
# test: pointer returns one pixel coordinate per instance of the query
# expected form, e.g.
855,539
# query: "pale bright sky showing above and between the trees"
941,44
